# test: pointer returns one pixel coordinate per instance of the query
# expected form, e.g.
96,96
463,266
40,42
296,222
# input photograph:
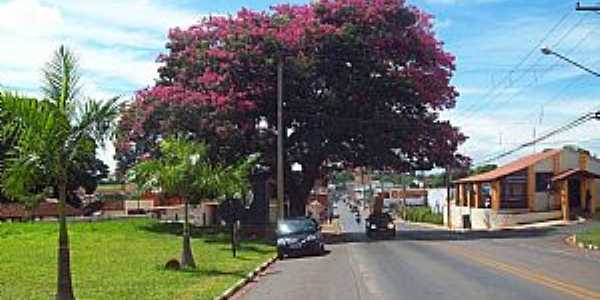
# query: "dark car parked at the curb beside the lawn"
299,236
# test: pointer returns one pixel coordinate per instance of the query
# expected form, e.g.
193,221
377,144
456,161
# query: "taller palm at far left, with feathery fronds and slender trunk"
46,136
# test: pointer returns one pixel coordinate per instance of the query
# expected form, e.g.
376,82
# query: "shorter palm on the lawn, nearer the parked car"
184,170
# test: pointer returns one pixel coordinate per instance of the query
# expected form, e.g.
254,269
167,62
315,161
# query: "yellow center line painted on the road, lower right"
565,287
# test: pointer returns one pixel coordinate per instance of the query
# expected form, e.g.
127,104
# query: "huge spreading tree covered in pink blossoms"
364,83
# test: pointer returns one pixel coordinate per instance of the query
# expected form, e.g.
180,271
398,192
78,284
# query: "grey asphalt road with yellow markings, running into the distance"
434,264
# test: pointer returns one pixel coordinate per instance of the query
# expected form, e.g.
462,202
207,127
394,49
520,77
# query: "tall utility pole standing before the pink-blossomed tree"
280,133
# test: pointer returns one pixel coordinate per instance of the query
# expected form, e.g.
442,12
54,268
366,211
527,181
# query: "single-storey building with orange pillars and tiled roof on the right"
553,184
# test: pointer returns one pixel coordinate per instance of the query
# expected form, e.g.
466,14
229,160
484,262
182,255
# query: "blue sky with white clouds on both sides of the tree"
508,88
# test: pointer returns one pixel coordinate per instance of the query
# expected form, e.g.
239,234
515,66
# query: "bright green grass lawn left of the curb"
120,260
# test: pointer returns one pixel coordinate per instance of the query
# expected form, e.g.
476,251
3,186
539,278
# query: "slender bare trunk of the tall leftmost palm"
64,289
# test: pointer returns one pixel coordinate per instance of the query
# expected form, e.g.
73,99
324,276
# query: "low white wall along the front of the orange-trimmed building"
486,218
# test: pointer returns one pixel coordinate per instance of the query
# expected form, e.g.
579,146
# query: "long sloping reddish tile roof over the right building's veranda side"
510,168
